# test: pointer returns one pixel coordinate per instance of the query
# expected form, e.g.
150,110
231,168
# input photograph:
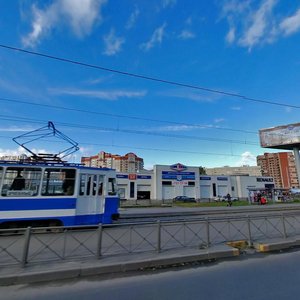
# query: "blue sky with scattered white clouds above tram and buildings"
170,80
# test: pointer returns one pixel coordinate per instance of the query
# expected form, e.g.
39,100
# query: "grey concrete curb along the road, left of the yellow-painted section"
99,267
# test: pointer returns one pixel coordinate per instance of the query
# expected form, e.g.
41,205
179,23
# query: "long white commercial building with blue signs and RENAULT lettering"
166,182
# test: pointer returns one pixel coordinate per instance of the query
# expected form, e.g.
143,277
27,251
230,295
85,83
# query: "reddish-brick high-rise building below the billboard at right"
281,166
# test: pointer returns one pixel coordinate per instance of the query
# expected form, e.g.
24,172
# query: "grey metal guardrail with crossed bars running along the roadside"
38,245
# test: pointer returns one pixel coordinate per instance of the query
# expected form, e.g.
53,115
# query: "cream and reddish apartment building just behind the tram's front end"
129,163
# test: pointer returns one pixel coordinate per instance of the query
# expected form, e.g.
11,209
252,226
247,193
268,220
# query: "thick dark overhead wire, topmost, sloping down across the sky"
149,78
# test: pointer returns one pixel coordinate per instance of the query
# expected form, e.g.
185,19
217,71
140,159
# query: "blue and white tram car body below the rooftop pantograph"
41,194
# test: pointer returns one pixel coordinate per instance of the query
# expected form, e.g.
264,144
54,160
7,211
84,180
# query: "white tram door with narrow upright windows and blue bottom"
90,201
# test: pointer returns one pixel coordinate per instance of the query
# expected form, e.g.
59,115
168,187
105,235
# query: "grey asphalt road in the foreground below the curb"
260,277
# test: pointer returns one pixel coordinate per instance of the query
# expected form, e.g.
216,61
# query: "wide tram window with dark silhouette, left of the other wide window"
21,182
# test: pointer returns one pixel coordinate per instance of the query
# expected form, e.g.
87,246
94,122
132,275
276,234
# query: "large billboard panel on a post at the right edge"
281,137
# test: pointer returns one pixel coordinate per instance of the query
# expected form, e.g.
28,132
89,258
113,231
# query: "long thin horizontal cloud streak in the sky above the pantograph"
100,94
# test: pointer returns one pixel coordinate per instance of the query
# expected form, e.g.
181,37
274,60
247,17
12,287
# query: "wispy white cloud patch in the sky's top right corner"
251,25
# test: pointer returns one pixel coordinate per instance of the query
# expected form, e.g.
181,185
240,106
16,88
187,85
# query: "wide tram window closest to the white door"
57,182
